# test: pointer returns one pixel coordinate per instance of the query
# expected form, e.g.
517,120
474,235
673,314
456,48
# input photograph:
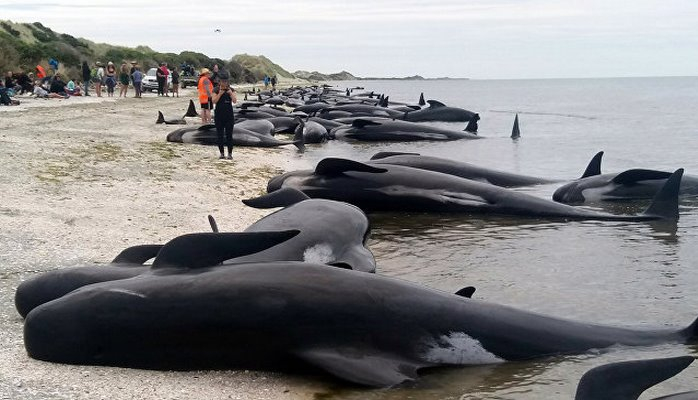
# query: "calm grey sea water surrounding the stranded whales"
633,274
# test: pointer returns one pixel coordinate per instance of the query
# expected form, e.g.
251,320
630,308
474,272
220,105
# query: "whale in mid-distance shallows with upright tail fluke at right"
389,187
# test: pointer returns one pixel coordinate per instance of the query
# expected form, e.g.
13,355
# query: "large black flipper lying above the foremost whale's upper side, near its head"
201,250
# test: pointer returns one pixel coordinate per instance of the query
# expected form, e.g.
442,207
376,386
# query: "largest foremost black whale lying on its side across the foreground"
363,328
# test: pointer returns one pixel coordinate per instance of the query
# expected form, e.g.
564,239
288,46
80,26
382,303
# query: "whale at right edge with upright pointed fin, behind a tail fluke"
627,185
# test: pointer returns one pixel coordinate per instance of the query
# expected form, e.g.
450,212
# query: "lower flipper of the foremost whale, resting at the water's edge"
369,368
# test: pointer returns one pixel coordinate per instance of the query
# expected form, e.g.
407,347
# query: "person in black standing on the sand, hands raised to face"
224,97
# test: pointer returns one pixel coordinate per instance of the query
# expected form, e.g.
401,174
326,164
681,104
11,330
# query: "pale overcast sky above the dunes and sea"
482,39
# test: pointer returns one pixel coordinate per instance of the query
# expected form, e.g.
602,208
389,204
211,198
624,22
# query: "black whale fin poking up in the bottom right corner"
627,380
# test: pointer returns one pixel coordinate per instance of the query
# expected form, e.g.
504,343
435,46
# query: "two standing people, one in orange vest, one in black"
215,91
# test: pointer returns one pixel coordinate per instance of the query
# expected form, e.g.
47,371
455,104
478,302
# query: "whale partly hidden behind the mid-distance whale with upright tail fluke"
457,168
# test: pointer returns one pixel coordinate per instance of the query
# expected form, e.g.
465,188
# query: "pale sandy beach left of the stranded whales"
84,178
